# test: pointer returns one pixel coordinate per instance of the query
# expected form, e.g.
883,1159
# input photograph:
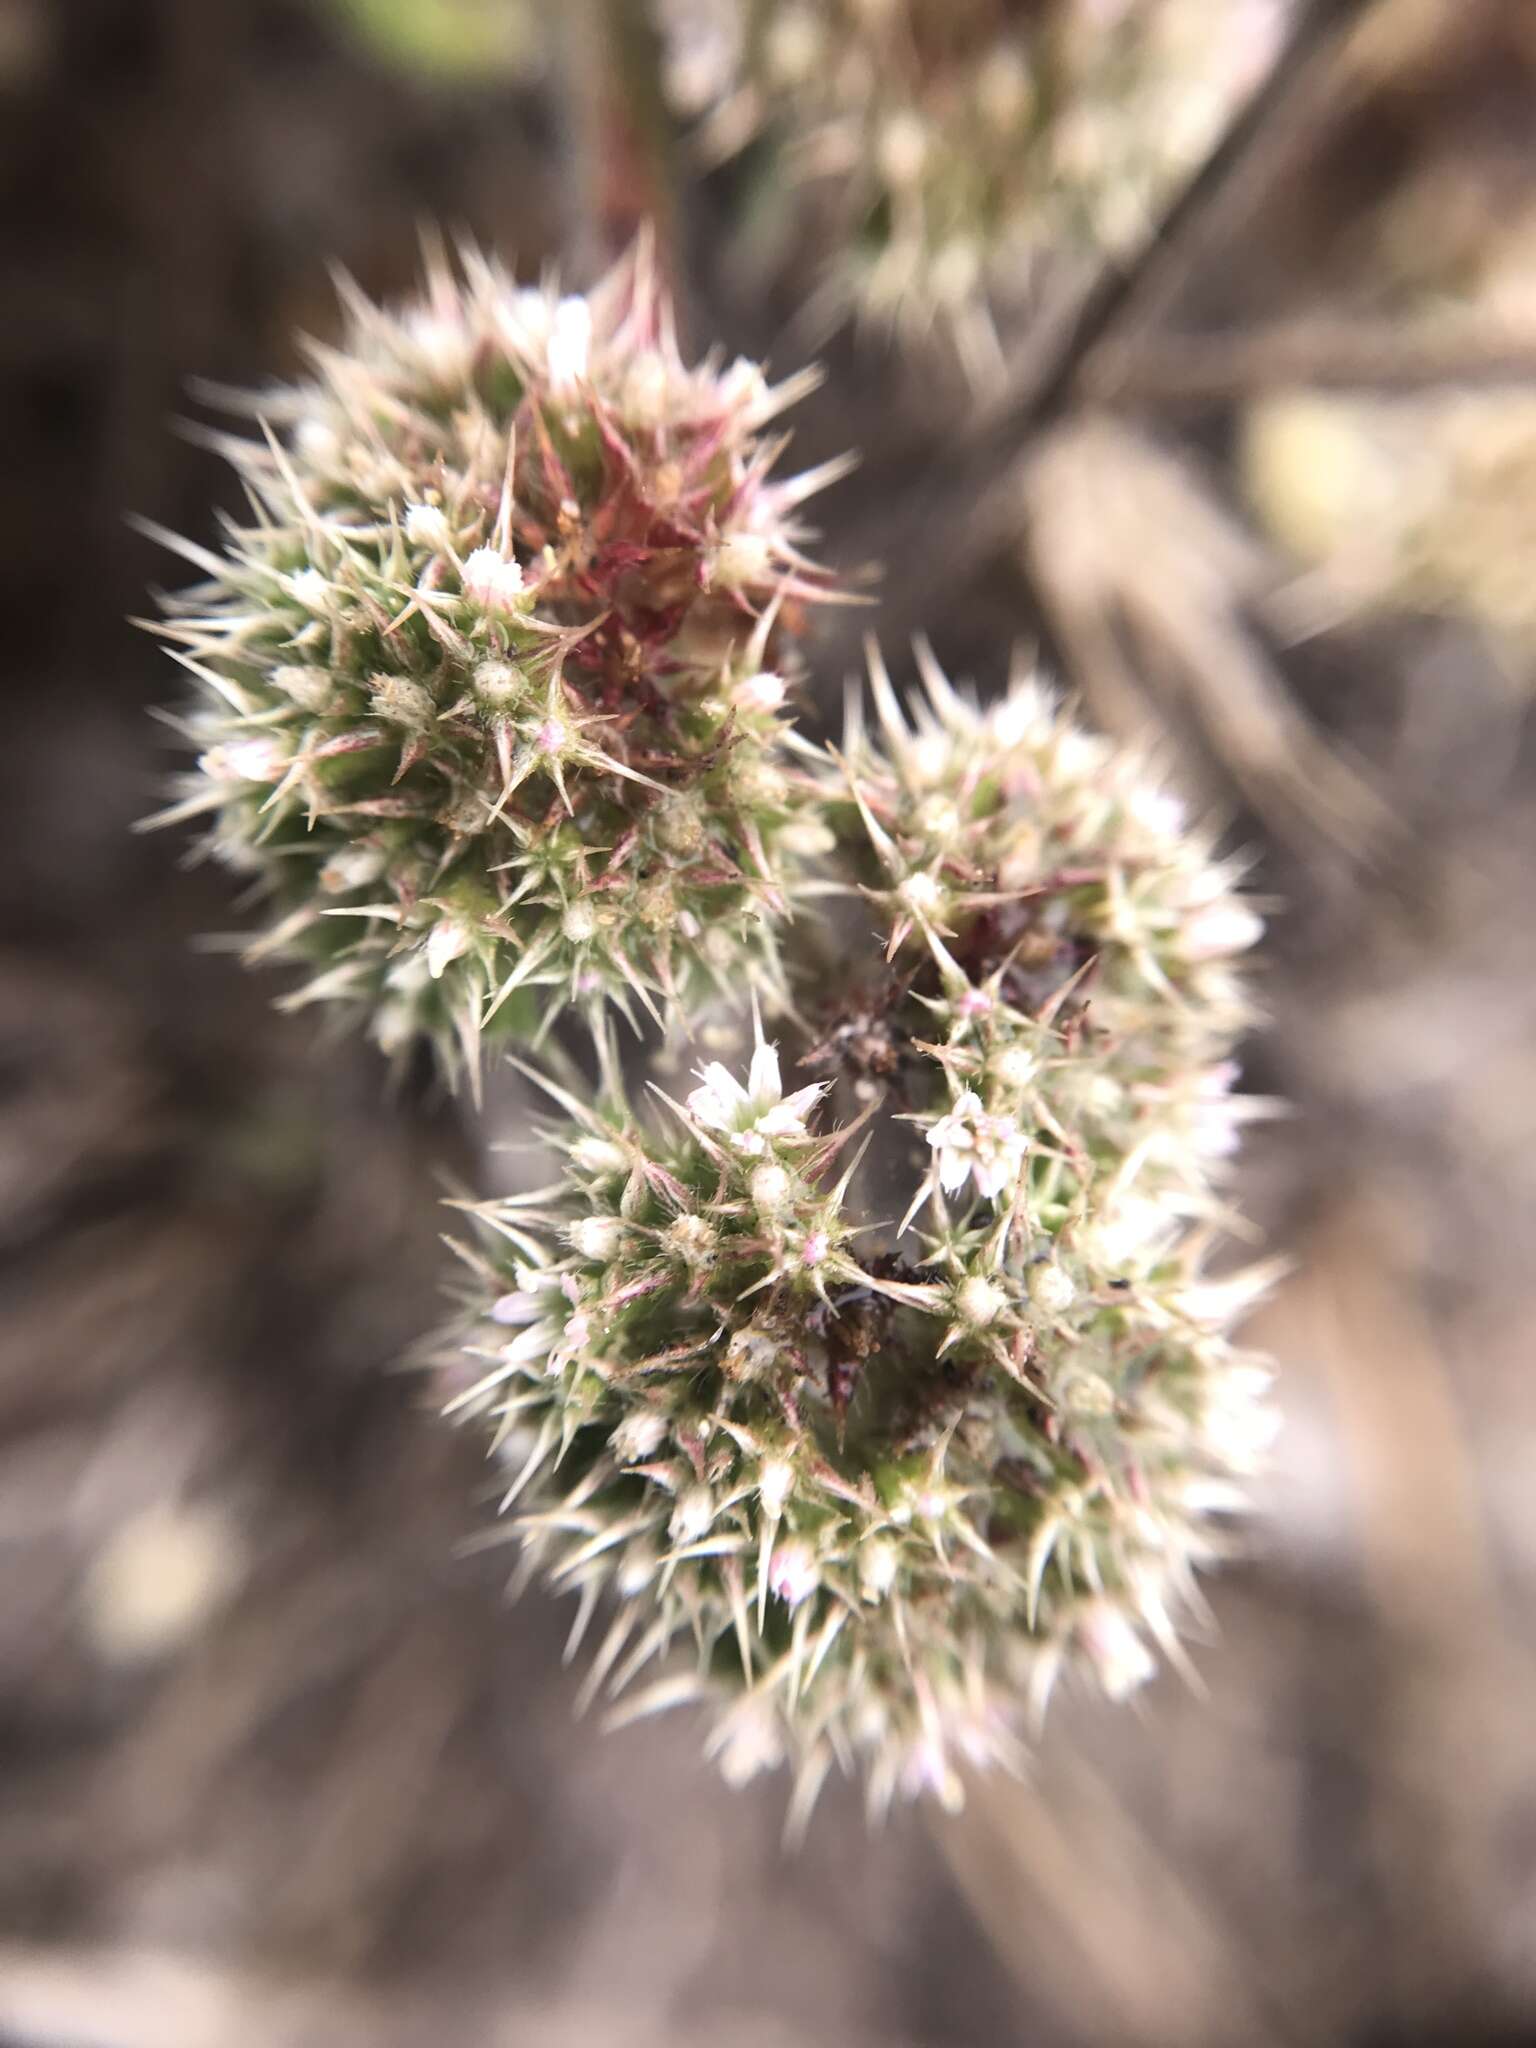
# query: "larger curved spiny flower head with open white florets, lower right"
865,1474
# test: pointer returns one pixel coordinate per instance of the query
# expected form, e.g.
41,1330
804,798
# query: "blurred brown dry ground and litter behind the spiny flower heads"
278,1762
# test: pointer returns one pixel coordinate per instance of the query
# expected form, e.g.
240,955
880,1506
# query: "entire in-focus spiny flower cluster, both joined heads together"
873,1379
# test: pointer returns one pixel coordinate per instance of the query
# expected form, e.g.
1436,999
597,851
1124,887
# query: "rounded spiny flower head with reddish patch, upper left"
493,677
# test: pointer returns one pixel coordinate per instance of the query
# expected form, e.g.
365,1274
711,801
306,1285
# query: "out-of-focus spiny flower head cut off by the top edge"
953,148
